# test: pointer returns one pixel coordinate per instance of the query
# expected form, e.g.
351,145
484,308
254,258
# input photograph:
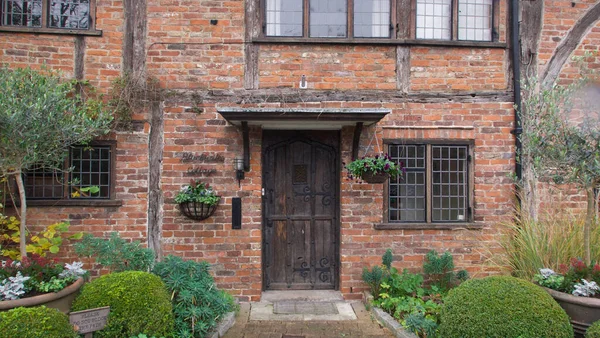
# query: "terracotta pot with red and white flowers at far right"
576,289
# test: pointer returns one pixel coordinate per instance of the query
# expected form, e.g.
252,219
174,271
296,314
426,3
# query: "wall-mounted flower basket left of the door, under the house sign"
197,201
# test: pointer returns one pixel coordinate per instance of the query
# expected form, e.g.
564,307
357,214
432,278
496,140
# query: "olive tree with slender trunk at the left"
42,116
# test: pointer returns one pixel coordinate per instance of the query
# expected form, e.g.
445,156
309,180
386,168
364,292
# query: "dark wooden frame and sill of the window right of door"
428,223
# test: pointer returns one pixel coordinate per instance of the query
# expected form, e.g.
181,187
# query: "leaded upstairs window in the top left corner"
71,16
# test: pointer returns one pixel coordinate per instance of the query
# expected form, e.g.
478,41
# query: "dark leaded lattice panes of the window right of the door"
436,185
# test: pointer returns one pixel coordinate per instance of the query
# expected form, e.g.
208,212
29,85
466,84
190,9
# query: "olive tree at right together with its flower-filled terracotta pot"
561,140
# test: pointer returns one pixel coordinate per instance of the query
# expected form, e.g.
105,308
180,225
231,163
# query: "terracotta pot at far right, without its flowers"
583,311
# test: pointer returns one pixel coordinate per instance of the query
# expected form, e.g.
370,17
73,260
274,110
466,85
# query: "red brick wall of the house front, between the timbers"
454,93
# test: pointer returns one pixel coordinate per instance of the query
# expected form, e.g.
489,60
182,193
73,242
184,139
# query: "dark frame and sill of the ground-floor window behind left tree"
67,200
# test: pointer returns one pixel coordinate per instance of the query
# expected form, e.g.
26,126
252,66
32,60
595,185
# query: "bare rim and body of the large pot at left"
60,300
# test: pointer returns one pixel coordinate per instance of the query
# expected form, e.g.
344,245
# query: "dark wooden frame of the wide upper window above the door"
401,32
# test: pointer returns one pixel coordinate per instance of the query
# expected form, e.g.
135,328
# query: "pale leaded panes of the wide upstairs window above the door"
348,19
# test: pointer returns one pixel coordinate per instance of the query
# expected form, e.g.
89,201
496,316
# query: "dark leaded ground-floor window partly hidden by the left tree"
88,167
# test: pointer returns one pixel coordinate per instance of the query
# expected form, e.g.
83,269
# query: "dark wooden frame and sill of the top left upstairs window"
45,29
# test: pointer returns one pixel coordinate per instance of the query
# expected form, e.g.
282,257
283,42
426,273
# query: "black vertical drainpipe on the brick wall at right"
516,63
